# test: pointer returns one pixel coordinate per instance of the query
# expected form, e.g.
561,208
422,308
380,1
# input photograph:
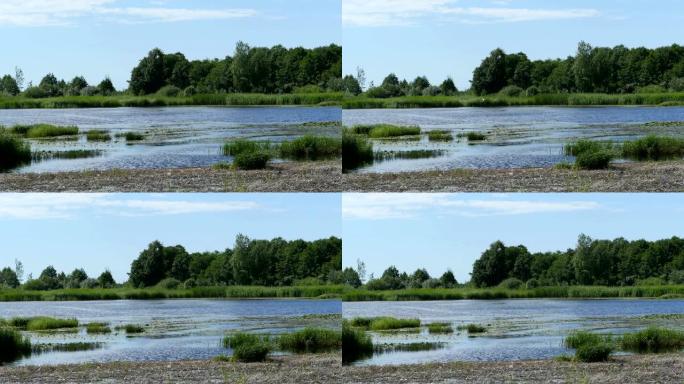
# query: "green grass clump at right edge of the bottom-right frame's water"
653,340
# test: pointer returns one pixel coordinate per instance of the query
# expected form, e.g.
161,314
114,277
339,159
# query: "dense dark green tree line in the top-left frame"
272,70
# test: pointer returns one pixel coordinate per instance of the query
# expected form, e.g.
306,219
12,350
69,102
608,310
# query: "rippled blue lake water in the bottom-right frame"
517,329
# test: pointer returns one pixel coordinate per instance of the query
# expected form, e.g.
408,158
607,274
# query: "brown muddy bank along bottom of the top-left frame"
284,177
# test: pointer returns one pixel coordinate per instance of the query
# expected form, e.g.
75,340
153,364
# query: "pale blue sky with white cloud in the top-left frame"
97,38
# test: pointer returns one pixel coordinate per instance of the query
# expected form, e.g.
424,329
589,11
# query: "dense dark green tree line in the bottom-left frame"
275,262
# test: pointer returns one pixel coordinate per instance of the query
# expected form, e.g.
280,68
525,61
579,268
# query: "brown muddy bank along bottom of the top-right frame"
634,177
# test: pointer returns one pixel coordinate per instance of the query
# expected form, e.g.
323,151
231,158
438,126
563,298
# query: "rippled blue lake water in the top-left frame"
176,137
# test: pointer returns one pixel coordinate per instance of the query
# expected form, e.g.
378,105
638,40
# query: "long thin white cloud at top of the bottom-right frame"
403,206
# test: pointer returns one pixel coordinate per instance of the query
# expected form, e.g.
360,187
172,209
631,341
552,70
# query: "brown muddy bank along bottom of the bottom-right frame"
621,370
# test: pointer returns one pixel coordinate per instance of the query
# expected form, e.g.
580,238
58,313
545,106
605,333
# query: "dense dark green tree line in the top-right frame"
617,70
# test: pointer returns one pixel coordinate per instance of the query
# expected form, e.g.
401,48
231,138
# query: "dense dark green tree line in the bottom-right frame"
617,262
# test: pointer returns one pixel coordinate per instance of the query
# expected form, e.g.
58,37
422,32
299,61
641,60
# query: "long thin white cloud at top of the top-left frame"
40,13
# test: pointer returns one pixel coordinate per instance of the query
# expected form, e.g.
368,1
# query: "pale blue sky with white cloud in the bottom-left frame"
98,231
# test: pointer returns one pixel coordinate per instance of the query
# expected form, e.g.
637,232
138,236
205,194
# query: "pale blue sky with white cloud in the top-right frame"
441,38
